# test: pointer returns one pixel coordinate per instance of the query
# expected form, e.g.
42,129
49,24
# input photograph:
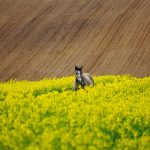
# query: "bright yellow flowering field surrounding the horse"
49,115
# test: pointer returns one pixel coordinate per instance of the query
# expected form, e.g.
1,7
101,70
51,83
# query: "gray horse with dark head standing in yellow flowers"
82,79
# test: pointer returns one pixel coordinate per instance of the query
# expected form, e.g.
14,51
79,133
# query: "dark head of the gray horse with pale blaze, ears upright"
78,74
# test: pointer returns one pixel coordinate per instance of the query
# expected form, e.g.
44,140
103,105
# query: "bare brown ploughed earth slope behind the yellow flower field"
40,39
